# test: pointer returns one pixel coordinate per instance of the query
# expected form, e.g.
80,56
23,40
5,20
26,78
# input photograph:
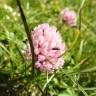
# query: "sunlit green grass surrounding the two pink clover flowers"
77,77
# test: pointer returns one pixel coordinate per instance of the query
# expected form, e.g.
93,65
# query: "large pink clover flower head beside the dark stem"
48,48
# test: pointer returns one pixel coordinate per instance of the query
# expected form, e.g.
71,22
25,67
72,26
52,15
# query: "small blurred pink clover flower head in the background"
69,16
